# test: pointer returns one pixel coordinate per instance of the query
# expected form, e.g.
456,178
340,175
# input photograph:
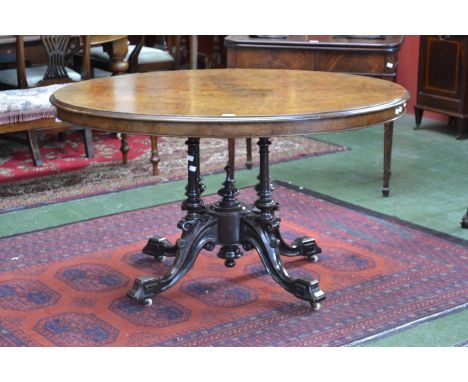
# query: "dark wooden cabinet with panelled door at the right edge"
443,79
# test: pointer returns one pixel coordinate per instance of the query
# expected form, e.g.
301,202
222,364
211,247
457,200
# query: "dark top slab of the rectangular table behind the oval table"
318,41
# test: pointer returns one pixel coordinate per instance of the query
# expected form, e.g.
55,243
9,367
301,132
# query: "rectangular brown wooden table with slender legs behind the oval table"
375,57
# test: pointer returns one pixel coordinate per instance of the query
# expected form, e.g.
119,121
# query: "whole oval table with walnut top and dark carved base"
230,103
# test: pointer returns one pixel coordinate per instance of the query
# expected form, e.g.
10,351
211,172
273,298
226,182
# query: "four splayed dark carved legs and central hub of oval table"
217,229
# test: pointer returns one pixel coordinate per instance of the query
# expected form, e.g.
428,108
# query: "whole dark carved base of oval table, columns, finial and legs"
229,223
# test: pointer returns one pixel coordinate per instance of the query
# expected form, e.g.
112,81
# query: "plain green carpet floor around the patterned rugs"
427,187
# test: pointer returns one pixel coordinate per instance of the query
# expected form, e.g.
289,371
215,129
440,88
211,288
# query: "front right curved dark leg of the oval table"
267,247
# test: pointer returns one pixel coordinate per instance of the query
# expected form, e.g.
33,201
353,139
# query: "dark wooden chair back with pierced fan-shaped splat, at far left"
58,48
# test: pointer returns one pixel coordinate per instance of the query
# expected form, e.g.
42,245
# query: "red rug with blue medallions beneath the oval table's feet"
66,286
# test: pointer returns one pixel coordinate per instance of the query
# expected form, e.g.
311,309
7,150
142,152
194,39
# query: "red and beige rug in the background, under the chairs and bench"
69,174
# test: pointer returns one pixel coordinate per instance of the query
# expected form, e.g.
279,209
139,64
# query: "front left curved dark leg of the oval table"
202,234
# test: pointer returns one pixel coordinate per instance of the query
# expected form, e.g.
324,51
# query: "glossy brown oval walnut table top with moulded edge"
230,103
